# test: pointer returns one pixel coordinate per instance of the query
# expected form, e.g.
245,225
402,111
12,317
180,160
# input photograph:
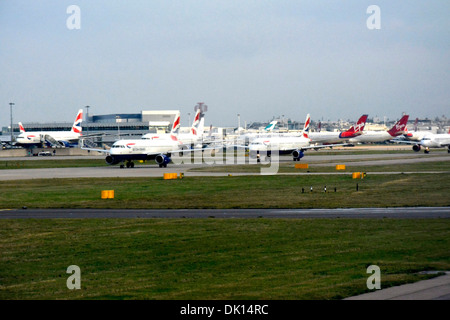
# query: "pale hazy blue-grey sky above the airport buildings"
258,58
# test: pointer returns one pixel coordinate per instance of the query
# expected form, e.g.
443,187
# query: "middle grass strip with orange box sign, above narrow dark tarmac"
281,191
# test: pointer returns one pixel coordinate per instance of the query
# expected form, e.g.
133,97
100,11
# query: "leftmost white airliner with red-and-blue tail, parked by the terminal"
51,138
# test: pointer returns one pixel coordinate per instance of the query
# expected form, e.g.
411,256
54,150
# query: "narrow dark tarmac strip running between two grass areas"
344,213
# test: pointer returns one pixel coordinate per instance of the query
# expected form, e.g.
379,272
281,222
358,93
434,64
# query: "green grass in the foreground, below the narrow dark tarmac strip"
215,258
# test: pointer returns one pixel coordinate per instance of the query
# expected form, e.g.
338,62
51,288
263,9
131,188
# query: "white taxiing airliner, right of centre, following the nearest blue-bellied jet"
294,145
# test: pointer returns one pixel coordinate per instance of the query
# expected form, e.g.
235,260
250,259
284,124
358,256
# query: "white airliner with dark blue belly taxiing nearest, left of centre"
158,149
